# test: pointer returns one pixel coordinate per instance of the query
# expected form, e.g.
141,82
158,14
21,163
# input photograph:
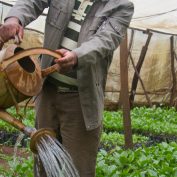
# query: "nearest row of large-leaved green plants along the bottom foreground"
155,161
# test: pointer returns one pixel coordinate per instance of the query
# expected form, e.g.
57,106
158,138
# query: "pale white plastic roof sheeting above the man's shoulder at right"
158,15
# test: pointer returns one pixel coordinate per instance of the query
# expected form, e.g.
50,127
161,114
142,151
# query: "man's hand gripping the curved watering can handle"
68,60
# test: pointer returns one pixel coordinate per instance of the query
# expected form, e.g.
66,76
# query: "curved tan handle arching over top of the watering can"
33,51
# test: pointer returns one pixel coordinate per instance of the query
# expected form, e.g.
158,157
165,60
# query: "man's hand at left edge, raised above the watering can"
10,29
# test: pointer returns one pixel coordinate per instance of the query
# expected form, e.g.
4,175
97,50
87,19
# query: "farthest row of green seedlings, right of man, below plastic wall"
144,120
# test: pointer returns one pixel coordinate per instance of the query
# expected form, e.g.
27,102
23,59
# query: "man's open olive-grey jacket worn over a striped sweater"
101,33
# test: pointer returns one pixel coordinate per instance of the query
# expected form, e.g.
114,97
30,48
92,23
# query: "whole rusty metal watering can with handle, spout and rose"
20,78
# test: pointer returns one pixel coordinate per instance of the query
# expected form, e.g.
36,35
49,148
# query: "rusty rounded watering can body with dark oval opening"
19,80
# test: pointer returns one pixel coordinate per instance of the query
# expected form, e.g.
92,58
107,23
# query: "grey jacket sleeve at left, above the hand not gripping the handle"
28,10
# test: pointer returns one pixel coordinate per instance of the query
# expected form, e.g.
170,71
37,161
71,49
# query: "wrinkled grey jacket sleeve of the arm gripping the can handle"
108,36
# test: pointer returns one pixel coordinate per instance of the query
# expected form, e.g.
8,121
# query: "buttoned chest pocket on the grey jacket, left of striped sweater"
57,14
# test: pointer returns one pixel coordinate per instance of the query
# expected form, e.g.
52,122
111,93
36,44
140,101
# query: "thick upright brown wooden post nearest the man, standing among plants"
124,94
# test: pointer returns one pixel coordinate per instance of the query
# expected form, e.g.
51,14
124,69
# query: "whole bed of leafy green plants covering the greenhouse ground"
154,153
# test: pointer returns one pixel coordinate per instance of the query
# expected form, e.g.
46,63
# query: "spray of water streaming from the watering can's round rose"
55,159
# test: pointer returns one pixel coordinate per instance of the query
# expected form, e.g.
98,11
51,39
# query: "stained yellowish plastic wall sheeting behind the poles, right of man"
155,72
